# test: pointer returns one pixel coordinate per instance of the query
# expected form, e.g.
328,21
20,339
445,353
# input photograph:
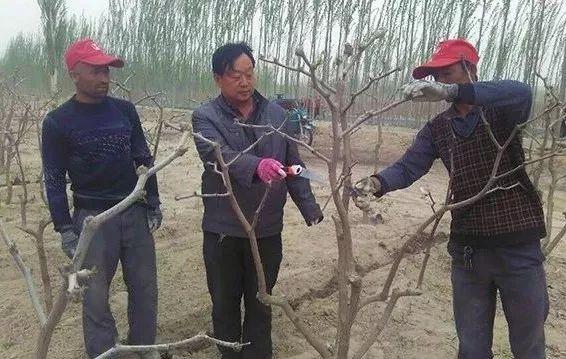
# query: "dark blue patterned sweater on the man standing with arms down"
99,146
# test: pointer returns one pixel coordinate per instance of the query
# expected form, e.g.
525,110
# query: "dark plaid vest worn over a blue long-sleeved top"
508,215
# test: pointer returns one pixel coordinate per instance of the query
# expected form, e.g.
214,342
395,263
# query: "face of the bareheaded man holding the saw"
238,82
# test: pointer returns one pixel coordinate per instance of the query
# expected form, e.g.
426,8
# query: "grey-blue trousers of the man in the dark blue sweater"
125,238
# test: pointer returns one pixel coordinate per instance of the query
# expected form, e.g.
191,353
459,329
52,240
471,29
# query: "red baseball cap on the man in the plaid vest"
448,53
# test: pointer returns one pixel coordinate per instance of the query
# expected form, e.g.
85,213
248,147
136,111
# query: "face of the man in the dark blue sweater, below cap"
91,81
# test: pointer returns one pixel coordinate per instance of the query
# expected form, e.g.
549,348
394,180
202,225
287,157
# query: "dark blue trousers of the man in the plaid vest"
518,275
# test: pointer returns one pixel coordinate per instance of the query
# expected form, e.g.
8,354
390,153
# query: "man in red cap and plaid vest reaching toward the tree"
494,241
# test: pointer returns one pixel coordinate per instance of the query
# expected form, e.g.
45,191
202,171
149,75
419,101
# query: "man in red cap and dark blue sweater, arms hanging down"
98,141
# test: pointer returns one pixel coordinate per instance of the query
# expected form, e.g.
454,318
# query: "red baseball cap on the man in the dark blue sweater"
89,52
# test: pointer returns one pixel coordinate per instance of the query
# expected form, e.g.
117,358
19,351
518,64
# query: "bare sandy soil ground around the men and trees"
421,327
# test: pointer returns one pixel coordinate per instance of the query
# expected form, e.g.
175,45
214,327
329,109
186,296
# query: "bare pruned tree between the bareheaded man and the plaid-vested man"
340,97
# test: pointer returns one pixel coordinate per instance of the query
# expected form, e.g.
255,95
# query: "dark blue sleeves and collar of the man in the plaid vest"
511,98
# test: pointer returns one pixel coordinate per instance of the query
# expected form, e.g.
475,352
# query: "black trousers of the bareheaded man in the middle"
230,274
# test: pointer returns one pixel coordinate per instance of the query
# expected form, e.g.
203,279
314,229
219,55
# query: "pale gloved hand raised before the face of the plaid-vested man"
429,91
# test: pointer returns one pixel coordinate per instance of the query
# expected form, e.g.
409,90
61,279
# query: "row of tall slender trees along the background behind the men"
168,43
